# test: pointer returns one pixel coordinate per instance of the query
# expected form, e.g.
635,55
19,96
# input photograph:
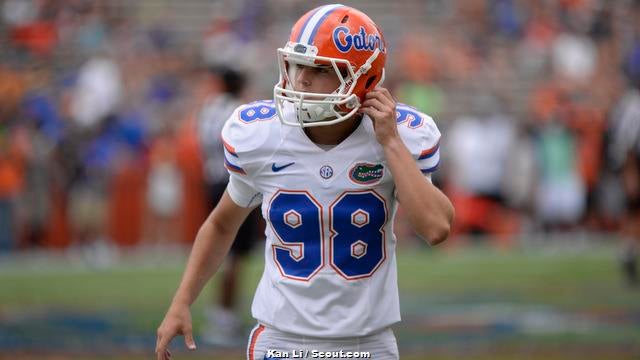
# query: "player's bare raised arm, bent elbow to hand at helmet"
429,211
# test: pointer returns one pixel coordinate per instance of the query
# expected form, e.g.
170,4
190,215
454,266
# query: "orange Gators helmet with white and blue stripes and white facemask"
339,37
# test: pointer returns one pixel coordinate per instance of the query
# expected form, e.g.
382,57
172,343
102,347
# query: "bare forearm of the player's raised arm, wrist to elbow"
429,211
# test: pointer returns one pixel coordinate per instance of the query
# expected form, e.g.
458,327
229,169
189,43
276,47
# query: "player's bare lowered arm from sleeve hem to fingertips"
210,247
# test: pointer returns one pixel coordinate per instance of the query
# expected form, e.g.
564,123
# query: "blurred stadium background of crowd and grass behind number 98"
98,101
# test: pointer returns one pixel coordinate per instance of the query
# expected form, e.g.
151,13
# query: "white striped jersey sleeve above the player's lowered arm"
242,141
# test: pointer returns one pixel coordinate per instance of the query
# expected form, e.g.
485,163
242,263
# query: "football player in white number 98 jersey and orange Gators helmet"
328,161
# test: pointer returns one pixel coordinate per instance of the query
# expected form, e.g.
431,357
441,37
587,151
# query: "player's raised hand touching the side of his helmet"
381,108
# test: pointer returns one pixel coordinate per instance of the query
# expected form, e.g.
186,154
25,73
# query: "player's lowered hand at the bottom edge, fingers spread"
177,321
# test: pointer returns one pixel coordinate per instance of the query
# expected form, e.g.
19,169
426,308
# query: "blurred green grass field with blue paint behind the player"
469,303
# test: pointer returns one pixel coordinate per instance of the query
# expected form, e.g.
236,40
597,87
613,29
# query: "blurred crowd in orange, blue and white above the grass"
101,110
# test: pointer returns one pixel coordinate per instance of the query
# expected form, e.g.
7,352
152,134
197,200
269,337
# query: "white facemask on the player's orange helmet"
316,109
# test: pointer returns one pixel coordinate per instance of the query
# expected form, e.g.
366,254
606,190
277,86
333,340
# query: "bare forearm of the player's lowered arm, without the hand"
210,247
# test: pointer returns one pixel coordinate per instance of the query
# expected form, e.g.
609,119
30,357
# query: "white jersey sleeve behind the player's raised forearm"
422,138
